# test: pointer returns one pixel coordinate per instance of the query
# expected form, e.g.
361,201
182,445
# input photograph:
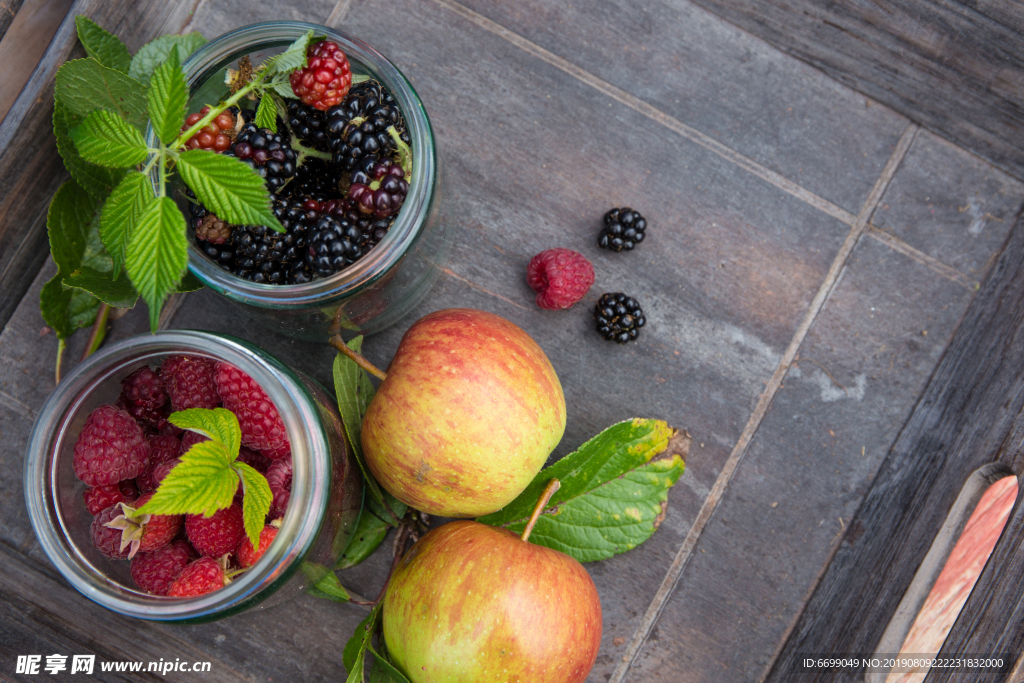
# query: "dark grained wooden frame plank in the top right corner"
957,69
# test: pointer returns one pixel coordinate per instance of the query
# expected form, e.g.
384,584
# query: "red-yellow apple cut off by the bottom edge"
477,605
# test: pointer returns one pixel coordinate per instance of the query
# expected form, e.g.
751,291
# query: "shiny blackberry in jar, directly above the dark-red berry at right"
358,127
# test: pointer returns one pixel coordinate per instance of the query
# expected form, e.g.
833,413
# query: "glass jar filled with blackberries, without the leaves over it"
352,169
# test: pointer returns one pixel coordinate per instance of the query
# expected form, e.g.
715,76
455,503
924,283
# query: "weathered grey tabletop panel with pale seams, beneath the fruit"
541,137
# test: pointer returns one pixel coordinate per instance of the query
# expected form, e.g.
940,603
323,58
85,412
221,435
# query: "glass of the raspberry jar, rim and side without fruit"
327,487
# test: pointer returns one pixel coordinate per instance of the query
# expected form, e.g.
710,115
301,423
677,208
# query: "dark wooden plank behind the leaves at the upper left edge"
31,170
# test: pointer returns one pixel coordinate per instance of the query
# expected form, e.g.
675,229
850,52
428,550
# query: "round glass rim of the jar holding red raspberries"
311,479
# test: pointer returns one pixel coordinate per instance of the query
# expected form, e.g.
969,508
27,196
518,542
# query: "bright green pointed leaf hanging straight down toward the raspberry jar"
157,254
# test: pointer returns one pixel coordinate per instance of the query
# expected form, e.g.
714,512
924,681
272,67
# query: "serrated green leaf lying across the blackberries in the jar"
229,188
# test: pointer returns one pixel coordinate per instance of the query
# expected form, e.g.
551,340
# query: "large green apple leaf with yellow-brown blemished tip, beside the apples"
613,492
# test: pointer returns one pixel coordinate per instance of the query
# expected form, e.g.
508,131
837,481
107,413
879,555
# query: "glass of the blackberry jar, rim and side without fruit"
395,276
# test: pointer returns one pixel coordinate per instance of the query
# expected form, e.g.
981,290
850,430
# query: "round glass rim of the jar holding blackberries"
412,219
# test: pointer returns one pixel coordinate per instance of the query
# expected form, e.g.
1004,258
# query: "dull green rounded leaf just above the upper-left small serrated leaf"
86,86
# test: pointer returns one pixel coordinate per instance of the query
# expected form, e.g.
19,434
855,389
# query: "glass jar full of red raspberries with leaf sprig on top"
119,506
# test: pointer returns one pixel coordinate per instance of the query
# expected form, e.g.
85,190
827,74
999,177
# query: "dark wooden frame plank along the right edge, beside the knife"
961,423
